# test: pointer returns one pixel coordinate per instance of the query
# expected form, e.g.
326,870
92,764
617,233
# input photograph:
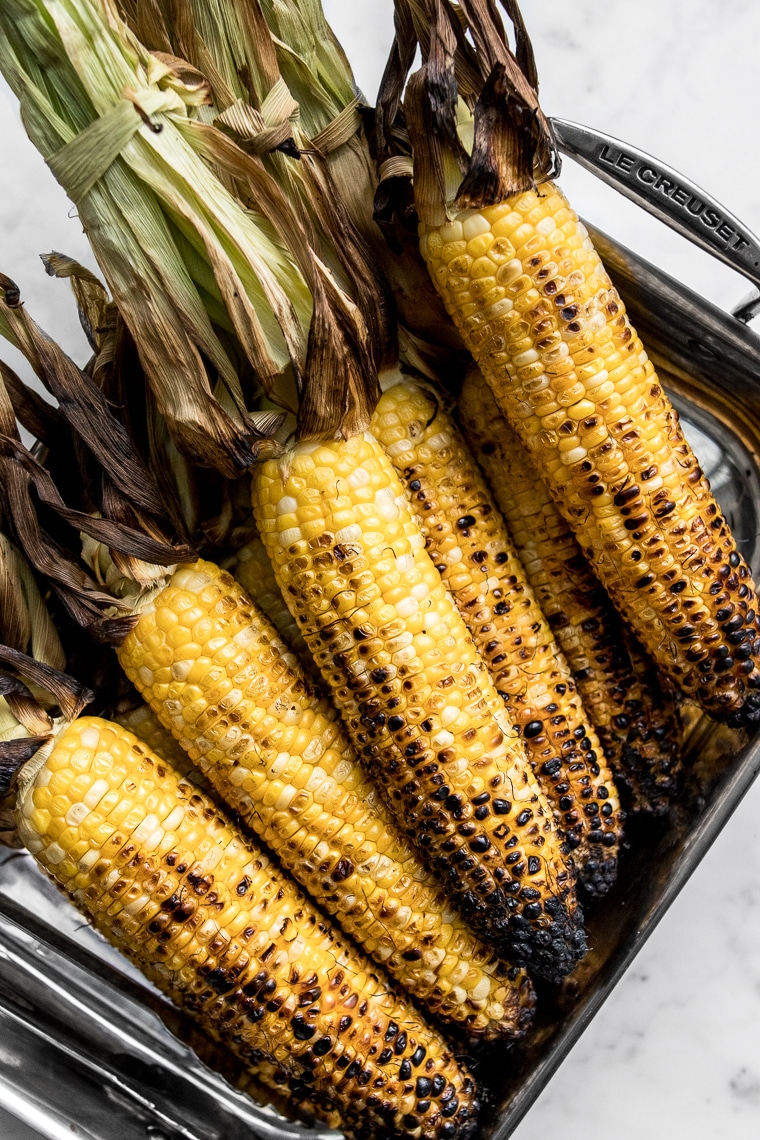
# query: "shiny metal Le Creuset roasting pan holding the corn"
88,1049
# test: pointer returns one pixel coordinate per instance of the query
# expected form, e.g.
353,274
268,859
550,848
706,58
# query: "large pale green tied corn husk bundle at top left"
209,288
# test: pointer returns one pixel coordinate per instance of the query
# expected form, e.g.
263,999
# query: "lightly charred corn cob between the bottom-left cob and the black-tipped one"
217,675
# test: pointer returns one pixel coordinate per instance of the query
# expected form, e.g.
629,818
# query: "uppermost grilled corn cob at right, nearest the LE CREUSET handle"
540,314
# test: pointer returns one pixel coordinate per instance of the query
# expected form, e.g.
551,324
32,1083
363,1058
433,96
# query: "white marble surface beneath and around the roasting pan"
676,1051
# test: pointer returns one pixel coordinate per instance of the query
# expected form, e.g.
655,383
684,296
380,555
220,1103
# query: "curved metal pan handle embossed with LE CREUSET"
660,190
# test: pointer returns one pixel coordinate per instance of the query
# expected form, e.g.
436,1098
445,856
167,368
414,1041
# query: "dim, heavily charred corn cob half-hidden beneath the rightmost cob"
633,711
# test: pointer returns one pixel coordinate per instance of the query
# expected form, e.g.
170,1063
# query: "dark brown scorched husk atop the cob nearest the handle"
509,142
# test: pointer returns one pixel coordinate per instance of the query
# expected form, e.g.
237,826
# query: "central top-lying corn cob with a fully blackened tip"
414,693
